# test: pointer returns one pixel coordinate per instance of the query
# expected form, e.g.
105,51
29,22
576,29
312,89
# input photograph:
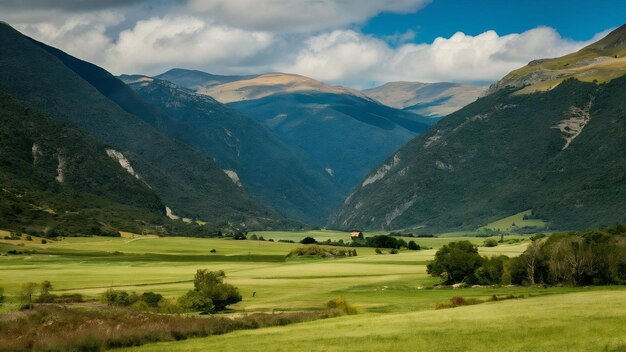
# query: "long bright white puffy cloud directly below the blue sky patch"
352,58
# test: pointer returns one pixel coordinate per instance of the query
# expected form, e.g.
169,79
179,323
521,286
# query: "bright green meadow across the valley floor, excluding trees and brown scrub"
394,294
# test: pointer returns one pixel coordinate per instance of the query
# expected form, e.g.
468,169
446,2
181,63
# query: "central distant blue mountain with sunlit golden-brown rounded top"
340,130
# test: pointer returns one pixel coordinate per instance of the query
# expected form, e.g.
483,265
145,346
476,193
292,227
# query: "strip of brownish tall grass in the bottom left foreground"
56,328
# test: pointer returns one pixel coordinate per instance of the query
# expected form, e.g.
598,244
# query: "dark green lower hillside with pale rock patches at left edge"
55,177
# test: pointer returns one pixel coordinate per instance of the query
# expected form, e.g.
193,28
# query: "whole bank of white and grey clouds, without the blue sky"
310,37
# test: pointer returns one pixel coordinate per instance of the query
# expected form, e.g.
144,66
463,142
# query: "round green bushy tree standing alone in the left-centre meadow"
210,293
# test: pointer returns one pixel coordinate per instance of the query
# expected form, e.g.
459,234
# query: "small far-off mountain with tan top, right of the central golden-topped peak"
426,99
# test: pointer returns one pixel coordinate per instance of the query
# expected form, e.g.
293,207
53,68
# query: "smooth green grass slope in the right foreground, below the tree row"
584,321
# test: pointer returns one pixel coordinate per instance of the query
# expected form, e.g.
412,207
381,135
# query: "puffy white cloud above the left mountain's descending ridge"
159,43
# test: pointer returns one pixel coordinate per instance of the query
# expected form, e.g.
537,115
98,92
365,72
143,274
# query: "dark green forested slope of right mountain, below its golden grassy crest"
558,156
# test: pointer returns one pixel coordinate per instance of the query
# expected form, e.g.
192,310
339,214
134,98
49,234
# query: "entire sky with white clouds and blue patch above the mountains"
358,43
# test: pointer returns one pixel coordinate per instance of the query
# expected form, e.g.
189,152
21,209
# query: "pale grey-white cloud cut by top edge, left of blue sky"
299,15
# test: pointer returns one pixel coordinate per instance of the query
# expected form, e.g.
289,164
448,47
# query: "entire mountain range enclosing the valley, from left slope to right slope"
189,152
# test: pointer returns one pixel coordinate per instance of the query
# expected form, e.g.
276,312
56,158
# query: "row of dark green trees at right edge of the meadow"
588,258
